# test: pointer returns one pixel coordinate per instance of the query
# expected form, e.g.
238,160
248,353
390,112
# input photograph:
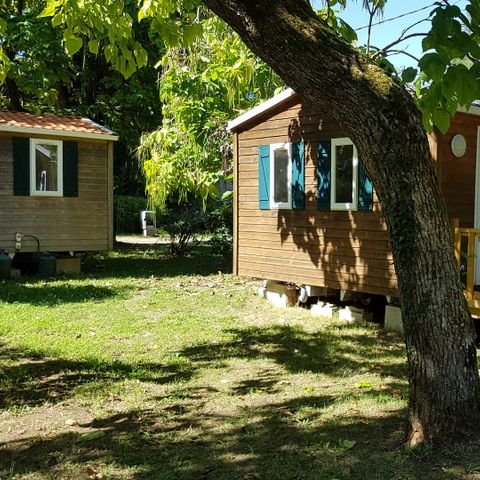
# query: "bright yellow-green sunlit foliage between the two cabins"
203,86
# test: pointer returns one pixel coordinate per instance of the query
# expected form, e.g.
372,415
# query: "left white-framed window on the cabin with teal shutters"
281,175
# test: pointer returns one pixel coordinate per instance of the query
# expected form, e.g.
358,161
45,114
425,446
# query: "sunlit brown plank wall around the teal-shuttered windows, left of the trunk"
339,249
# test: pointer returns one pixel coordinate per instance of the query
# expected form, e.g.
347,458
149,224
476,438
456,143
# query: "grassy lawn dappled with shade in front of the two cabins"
173,369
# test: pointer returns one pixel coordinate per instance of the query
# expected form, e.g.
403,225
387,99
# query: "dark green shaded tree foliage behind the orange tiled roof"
43,78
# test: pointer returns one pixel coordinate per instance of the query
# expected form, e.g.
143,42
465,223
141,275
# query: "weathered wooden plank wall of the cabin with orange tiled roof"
62,224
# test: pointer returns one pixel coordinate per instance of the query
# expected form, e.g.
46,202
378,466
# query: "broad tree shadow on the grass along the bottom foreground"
259,442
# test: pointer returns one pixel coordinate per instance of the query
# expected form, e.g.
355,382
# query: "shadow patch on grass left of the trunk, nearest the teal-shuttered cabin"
331,353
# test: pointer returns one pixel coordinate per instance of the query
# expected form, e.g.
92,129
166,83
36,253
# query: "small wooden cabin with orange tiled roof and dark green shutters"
56,192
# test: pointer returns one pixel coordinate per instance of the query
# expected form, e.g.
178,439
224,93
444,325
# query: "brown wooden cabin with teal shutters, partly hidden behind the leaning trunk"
305,210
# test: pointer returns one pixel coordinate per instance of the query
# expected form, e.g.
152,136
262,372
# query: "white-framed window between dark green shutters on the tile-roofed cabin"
46,167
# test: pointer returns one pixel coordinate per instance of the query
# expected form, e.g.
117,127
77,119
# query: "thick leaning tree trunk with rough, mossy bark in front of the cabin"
382,120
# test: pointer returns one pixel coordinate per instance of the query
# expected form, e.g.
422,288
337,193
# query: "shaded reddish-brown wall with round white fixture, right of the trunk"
457,175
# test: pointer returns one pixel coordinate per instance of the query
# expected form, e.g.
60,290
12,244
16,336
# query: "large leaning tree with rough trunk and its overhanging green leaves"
381,117
